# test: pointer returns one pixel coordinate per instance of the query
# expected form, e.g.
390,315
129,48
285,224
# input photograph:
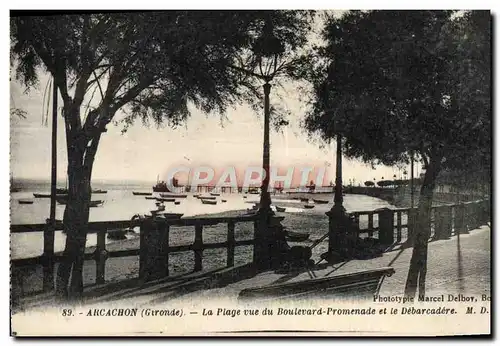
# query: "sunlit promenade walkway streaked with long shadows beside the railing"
461,264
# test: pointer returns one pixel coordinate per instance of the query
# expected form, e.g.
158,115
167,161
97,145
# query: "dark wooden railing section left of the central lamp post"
154,232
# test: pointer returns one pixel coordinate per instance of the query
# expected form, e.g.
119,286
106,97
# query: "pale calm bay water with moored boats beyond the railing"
121,204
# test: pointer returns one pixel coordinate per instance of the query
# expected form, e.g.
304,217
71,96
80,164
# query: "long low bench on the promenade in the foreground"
362,284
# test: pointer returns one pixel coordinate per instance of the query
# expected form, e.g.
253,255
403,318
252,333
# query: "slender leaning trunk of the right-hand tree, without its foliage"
418,263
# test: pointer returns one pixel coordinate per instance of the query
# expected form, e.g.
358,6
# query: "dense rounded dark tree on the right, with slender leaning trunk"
420,84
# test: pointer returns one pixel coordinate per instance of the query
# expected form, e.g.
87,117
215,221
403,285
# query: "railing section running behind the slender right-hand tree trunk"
396,225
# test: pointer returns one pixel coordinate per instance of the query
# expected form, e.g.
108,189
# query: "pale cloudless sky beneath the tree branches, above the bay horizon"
143,153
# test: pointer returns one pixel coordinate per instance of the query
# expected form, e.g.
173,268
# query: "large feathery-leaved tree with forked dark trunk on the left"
151,65
